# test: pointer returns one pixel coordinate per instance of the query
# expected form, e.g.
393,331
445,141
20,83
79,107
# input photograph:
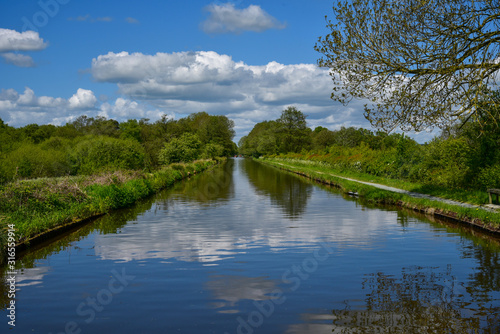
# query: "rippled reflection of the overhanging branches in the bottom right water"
424,300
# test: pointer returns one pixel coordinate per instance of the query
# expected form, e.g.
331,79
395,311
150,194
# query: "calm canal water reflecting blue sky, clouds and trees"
245,248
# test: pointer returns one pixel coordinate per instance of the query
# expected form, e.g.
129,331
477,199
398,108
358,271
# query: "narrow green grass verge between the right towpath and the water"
486,220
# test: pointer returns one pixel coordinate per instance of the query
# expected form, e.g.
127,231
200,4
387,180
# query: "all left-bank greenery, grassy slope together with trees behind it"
52,176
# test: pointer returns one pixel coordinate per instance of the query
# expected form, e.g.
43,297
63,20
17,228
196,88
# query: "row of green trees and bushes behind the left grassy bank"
91,145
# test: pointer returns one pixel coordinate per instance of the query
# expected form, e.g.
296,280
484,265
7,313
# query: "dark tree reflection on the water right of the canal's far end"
286,191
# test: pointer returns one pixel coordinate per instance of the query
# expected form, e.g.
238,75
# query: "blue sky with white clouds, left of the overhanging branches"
126,59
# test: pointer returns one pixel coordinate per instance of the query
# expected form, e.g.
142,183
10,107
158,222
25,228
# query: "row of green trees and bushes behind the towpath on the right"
461,157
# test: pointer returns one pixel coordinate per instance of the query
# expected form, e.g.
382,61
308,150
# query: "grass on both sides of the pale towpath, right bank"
321,173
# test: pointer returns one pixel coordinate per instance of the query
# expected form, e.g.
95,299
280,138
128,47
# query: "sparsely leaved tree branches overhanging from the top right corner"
419,63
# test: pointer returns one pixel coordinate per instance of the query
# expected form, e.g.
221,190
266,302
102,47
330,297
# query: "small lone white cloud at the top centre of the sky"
225,18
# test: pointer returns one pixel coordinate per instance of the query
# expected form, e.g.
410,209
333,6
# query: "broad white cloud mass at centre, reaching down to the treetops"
187,82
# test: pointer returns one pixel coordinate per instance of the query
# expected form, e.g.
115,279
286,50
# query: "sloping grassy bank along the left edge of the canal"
40,205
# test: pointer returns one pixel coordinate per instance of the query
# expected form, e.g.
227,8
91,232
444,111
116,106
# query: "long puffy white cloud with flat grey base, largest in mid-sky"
207,76
